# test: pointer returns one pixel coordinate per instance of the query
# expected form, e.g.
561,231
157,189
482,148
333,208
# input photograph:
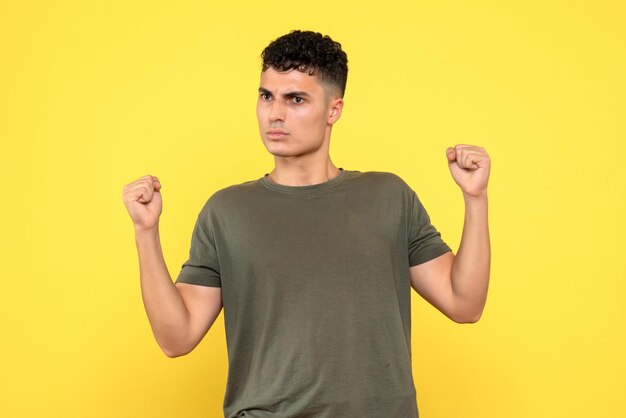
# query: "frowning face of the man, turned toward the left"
295,113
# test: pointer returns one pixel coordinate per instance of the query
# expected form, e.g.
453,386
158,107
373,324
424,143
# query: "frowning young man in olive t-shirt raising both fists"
313,264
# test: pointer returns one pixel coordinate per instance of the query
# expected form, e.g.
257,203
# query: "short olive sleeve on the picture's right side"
425,241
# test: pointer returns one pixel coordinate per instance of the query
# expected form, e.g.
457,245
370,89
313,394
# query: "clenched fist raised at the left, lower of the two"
143,201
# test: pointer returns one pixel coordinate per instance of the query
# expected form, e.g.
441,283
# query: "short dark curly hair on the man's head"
309,51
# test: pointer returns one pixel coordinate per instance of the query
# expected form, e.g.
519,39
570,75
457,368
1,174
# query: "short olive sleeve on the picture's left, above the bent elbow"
202,266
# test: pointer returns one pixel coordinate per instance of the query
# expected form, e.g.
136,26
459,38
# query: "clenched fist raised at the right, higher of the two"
469,166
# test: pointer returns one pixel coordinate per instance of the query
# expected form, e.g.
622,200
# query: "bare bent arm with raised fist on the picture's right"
457,284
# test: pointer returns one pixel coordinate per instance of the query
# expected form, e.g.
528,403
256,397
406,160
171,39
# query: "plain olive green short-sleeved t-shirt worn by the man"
316,293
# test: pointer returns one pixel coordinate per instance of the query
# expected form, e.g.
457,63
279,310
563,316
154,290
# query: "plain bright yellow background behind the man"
96,94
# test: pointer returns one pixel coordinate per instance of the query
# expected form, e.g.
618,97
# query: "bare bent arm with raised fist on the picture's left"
179,314
